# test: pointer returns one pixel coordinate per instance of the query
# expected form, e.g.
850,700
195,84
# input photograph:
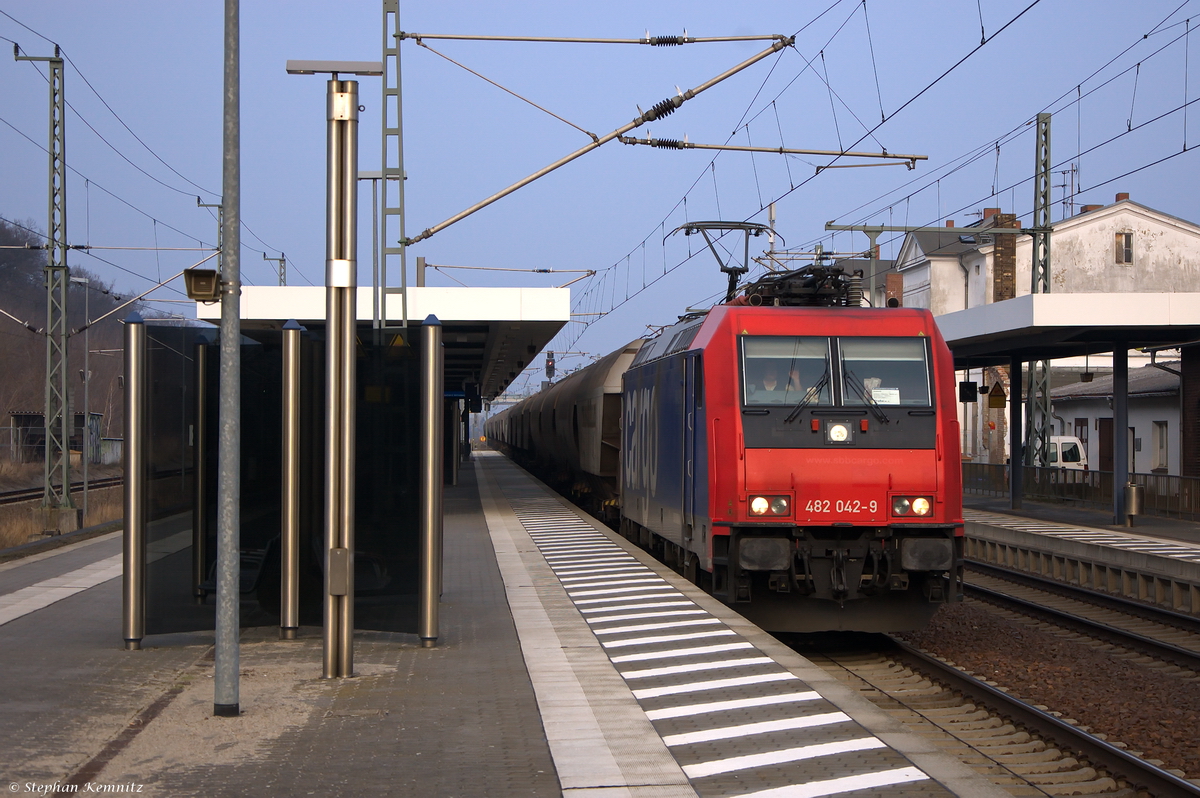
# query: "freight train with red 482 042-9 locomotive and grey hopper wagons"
791,452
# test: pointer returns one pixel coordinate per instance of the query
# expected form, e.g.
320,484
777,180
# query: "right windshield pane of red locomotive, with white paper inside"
885,371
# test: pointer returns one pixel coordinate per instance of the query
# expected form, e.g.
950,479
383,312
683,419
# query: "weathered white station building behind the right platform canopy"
1118,249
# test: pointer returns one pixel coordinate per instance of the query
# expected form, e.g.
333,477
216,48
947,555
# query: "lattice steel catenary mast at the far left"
57,499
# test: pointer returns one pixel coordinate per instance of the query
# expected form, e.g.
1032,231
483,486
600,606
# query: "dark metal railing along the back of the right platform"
1166,495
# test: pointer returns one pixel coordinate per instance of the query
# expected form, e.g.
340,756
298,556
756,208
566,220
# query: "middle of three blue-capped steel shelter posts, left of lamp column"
290,532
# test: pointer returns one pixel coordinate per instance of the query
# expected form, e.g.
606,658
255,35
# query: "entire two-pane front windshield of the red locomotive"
844,373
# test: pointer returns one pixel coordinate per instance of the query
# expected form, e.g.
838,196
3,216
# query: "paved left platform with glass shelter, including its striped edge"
569,663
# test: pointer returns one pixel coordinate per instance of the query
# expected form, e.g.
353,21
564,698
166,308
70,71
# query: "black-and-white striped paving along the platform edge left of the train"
737,723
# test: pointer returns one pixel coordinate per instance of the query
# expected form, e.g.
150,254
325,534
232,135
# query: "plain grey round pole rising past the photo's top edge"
227,656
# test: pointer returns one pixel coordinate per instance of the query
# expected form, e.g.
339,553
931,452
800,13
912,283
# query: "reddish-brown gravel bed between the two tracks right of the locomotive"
1144,707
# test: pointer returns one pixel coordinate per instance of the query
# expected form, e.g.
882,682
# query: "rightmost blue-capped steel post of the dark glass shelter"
431,481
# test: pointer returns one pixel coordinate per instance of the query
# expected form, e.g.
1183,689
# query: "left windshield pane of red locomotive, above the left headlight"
785,370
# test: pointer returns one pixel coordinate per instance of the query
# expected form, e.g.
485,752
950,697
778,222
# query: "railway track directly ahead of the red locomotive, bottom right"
1022,748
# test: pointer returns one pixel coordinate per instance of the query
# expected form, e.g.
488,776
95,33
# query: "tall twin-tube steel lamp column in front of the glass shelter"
341,316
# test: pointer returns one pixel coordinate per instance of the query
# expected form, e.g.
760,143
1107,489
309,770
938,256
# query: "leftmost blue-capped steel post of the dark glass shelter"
134,580
